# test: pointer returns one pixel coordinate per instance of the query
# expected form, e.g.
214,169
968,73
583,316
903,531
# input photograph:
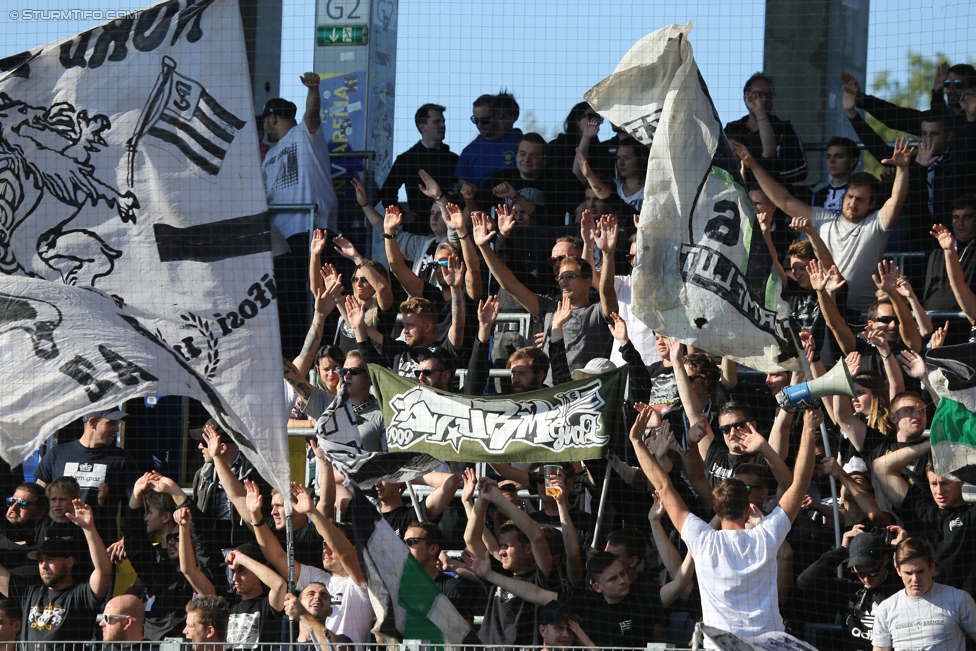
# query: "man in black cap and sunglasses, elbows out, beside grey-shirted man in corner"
870,580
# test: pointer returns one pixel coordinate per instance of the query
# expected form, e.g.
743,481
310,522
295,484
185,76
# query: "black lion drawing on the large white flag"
46,173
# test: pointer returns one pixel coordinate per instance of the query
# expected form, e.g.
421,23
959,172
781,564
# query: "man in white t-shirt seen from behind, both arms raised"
736,565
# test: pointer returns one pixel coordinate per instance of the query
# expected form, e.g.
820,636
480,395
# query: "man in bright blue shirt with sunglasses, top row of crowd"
494,148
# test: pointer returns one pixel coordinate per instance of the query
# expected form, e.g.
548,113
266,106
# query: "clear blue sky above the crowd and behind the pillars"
548,53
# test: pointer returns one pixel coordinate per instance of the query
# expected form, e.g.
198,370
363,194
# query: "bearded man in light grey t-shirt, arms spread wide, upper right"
857,237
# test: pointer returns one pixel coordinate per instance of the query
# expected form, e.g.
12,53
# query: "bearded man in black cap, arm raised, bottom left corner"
60,609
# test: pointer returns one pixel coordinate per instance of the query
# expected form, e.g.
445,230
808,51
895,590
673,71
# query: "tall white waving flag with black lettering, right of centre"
704,274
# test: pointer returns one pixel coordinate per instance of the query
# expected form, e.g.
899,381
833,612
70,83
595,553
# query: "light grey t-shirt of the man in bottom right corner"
939,620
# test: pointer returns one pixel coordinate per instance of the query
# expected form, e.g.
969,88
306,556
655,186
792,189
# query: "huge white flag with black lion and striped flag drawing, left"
129,166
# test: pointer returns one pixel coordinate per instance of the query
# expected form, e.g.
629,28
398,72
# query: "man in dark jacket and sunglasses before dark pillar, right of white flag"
771,140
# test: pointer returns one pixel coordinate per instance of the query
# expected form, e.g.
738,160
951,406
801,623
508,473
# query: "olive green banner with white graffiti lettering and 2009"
570,422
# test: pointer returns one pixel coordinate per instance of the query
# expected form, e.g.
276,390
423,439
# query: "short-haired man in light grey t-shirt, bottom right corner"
926,614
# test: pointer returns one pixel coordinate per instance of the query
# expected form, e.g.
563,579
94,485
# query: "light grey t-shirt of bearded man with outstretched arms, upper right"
856,249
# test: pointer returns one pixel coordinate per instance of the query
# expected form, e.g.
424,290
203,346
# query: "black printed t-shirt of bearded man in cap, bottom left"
55,615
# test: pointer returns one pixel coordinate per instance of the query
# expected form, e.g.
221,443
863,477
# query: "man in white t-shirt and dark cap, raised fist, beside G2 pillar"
296,170
